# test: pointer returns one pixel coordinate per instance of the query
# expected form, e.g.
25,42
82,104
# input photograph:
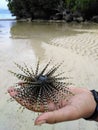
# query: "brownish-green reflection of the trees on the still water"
41,30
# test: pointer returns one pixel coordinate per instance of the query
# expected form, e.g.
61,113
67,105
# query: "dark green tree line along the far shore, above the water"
48,9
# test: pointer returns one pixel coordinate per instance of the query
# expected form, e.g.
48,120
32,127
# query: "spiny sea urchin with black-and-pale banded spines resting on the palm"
41,87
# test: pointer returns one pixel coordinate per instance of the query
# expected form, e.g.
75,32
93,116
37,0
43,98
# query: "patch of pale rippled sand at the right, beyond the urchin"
85,44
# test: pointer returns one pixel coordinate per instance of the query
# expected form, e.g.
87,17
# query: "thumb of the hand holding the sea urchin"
64,114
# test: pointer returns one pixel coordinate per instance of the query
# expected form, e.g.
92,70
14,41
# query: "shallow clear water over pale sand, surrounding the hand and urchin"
76,44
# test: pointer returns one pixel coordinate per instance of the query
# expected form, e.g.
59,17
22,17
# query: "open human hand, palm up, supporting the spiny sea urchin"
81,105
